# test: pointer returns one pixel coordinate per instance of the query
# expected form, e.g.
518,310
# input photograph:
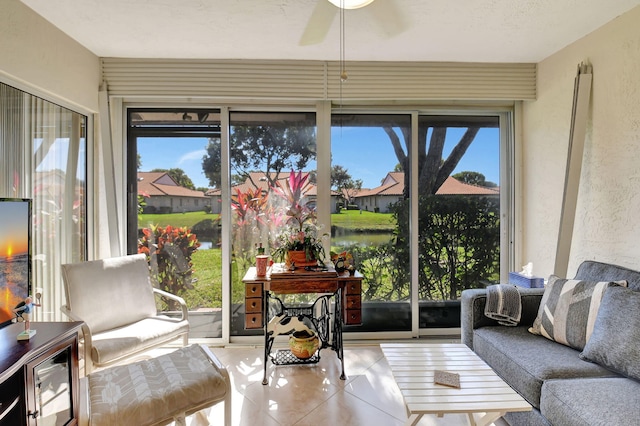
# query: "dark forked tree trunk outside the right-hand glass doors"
433,169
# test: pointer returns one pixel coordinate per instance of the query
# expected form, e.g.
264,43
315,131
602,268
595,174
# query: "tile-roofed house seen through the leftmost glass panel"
163,195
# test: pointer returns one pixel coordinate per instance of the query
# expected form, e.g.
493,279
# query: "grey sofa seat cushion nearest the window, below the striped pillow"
526,360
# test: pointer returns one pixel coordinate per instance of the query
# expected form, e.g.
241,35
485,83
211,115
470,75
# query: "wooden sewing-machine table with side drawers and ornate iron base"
261,293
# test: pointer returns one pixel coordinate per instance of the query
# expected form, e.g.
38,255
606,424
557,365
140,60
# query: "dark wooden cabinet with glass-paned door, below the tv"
39,376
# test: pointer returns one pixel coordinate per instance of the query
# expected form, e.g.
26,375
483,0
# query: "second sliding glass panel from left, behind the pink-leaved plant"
264,148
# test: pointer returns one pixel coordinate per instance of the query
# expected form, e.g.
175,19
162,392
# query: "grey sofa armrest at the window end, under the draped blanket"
472,305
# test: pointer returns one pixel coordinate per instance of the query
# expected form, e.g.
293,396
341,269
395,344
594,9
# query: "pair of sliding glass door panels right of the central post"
455,167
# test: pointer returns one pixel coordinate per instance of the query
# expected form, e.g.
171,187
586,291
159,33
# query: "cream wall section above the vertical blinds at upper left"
42,60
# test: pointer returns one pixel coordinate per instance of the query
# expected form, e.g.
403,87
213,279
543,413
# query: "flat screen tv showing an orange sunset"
15,255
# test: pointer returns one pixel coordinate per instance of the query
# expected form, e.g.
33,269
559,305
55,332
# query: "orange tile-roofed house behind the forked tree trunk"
390,191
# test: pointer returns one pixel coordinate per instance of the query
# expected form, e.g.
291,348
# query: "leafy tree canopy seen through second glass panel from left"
270,148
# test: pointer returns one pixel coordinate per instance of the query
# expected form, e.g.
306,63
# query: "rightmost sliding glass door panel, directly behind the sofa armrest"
458,180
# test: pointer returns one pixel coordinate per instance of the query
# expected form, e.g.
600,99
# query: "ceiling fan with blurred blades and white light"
385,12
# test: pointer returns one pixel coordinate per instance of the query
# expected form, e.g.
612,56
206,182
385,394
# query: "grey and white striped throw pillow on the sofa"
568,310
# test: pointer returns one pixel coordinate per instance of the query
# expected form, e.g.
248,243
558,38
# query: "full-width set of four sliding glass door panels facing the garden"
415,202
